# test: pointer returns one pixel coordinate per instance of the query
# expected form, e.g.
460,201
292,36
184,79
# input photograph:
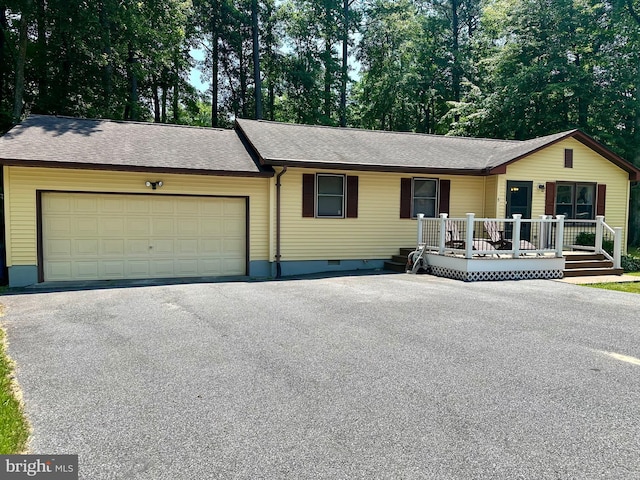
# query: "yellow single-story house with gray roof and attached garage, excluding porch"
101,199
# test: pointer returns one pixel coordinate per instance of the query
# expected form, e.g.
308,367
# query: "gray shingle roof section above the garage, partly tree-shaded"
111,144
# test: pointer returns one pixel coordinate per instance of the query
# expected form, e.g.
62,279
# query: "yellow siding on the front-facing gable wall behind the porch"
547,165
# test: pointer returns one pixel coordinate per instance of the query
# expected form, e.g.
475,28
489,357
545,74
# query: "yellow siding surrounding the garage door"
21,184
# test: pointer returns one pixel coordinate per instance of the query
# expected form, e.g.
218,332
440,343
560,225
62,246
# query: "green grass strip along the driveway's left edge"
14,429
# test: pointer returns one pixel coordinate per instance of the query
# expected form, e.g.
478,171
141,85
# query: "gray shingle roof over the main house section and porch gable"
290,144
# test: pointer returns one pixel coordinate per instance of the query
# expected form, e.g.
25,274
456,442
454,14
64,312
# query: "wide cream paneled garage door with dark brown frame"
101,236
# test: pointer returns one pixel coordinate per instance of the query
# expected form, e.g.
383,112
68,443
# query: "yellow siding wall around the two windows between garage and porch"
378,231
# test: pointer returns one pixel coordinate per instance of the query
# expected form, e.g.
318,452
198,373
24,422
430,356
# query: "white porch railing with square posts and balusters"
543,236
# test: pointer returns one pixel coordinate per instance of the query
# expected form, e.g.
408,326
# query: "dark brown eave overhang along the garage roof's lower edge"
268,172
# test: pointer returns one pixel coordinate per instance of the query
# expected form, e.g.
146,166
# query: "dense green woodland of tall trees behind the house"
512,69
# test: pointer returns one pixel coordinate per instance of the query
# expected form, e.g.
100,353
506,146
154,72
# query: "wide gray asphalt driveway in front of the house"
387,376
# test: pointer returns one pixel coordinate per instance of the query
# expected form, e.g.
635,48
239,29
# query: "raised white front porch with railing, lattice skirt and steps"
473,249
